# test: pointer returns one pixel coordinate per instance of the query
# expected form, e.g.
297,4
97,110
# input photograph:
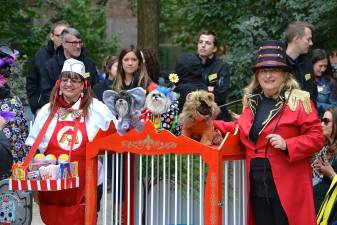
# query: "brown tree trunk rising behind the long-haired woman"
148,12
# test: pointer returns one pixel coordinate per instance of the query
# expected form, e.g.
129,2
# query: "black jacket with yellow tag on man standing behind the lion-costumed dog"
215,72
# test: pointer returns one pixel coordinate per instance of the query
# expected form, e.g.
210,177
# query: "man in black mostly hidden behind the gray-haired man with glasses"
33,79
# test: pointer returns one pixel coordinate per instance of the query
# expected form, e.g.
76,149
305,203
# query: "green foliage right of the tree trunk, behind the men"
243,24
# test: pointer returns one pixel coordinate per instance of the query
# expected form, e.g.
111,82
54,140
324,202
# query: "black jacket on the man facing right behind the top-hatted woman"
302,70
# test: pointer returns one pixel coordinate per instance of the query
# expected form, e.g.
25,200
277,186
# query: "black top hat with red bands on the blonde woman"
271,55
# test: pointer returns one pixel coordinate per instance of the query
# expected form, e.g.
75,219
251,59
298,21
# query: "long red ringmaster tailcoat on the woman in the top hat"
291,170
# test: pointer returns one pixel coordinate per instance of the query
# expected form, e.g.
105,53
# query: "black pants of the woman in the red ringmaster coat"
268,212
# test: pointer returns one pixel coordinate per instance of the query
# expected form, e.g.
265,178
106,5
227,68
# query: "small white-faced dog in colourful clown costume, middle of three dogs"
162,109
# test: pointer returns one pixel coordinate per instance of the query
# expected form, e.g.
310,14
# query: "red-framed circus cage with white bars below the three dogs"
158,178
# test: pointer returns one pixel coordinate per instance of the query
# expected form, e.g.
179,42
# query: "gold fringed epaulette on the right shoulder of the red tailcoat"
299,96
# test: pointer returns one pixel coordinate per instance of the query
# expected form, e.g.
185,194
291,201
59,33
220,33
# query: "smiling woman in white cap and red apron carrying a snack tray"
71,107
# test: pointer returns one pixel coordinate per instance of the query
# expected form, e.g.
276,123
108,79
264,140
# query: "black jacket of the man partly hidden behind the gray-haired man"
33,79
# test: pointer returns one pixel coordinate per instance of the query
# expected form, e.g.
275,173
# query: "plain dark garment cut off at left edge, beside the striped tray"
6,158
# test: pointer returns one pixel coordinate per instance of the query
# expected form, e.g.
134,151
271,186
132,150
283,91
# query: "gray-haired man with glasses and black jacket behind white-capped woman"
71,47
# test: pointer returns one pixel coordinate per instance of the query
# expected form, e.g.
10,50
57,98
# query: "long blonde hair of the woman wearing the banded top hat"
254,86
